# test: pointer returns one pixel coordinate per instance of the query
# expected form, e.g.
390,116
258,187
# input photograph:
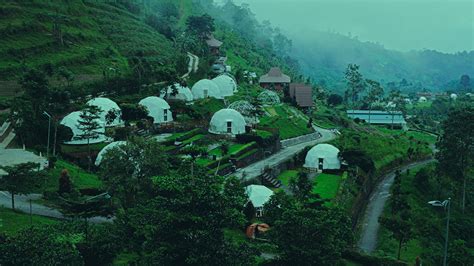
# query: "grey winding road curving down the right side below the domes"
370,225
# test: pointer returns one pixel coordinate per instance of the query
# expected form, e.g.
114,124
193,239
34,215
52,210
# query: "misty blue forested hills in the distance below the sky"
325,55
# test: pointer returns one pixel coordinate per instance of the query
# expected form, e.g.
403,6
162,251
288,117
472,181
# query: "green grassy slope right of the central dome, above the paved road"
289,125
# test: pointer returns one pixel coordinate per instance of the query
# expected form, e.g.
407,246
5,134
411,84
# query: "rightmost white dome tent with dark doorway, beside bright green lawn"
323,157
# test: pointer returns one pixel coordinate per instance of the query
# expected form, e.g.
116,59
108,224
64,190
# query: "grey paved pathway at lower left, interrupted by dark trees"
22,203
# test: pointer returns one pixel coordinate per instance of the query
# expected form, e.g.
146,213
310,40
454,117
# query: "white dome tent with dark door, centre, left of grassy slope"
227,121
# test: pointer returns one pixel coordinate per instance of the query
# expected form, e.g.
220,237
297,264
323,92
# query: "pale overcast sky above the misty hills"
443,25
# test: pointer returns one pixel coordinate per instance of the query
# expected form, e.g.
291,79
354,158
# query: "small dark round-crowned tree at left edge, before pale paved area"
20,179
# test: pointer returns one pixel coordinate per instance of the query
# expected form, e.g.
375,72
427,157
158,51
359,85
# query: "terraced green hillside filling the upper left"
96,38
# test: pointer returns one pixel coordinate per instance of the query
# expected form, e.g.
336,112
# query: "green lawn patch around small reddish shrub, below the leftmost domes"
79,177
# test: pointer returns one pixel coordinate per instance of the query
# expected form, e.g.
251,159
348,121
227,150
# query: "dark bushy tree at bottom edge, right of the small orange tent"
311,237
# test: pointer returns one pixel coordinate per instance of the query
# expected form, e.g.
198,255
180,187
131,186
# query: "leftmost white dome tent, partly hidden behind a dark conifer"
72,121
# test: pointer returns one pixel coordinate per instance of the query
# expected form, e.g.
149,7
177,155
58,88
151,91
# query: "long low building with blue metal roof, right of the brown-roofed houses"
378,117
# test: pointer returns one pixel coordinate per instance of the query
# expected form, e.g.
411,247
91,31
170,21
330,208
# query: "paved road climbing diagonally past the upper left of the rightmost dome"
254,170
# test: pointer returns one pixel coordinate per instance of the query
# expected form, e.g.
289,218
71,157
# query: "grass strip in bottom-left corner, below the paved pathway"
14,221
